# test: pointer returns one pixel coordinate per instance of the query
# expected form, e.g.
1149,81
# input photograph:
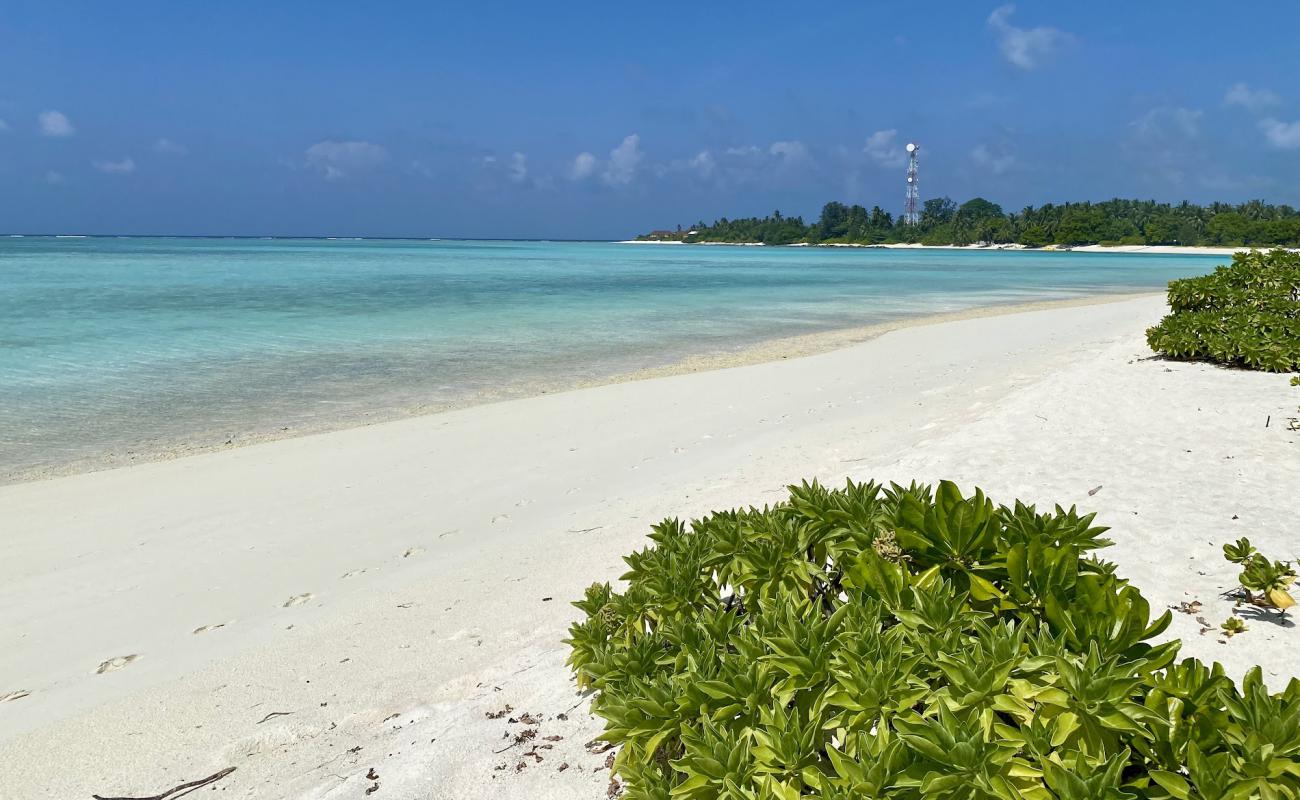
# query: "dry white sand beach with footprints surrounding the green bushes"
366,603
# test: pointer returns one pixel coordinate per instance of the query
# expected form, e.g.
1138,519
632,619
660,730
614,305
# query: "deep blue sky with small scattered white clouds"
587,120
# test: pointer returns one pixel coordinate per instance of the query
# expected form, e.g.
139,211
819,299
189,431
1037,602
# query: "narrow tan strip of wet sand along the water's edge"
760,352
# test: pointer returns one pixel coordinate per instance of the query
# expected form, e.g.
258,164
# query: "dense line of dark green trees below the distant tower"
943,222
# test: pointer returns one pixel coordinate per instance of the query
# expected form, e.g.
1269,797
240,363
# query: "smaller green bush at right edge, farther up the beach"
1246,314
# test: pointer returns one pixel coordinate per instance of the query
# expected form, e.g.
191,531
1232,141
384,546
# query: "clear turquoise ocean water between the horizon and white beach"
129,347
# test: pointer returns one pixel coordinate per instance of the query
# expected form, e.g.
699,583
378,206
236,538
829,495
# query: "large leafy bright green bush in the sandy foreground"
912,643
